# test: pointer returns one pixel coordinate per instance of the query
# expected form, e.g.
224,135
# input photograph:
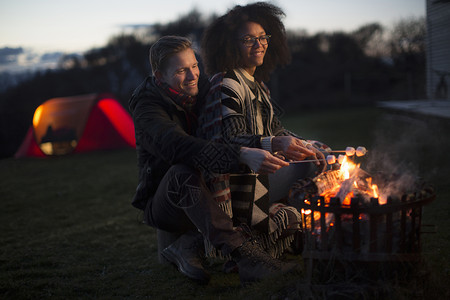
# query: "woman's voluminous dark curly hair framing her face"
220,52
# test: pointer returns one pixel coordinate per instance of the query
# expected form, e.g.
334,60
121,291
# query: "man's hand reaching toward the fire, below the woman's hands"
261,161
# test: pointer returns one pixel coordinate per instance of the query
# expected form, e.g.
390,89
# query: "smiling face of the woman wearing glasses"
253,56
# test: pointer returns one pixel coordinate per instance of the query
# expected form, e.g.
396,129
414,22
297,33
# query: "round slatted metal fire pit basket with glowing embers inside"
363,231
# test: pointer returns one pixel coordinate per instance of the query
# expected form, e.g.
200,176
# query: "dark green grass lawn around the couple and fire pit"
68,230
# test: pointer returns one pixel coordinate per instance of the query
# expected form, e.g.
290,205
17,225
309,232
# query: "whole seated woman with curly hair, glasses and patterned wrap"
240,49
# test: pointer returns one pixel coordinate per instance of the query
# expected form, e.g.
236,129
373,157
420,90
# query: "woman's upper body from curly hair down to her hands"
242,48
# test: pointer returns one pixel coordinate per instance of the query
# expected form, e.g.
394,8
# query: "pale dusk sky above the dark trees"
71,26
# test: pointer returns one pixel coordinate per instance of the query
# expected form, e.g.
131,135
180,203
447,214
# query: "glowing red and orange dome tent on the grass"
78,124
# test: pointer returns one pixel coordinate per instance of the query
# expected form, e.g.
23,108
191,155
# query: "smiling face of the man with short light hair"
181,72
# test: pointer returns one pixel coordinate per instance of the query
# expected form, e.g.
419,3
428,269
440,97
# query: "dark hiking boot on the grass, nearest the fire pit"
255,264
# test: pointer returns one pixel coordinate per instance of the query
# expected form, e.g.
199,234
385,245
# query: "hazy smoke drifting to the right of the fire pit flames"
405,152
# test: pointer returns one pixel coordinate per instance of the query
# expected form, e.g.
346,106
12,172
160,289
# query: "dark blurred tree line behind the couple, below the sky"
327,70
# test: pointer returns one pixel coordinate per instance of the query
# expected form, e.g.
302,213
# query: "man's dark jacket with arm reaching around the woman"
165,137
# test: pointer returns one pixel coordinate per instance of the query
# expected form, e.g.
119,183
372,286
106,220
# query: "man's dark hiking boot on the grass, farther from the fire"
185,253
